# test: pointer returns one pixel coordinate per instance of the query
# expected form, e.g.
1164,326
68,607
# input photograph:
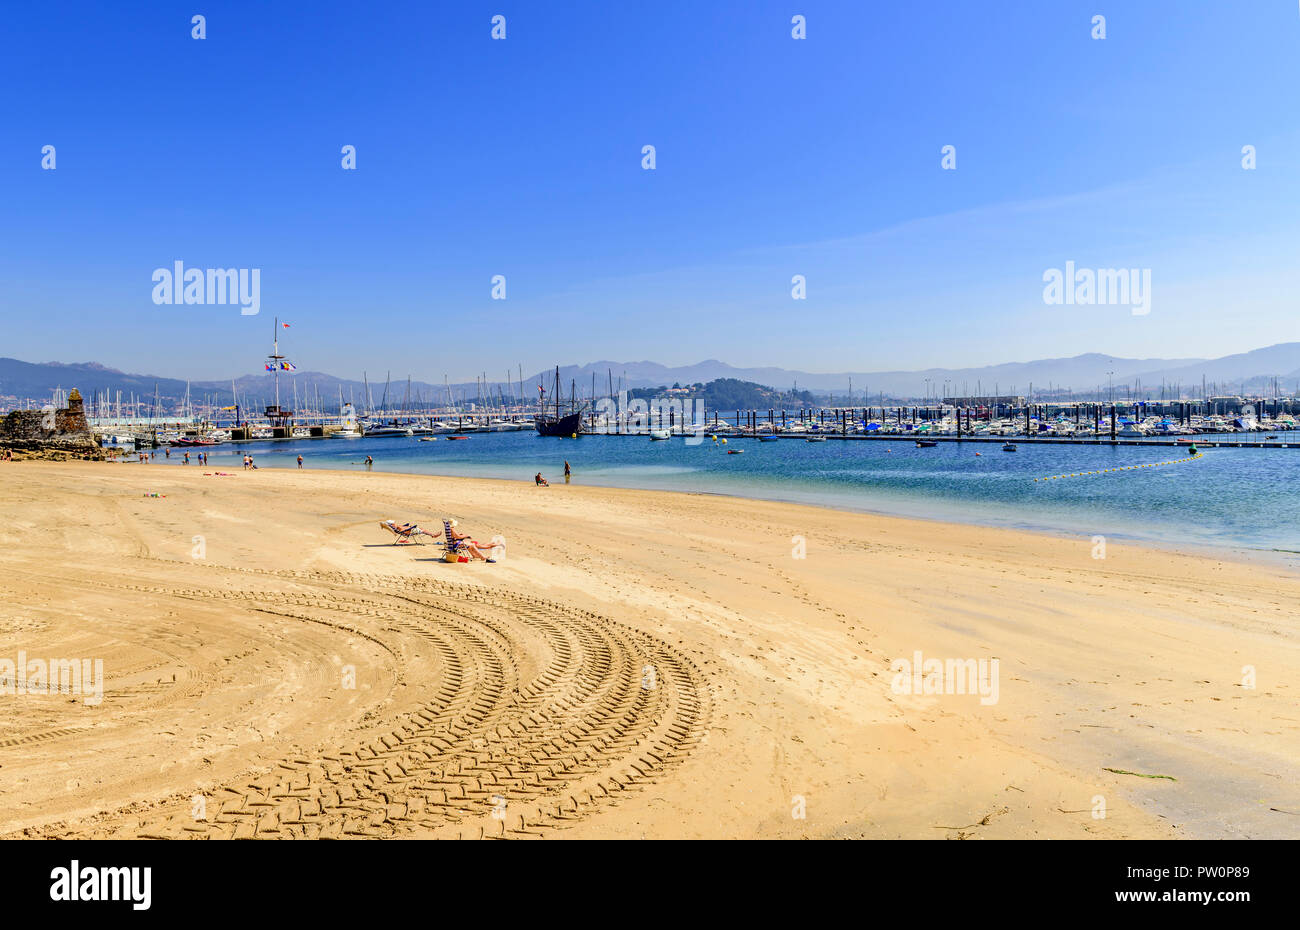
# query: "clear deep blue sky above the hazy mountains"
523,158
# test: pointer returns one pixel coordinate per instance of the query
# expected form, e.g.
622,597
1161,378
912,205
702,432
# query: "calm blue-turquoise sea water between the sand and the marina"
1228,499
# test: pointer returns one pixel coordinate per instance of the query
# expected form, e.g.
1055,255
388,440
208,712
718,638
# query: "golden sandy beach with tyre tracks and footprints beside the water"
642,664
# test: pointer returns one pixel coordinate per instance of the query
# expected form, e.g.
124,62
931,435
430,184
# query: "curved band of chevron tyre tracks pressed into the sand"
526,715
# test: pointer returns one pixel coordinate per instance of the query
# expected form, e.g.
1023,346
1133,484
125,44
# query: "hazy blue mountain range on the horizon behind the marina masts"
1253,371
